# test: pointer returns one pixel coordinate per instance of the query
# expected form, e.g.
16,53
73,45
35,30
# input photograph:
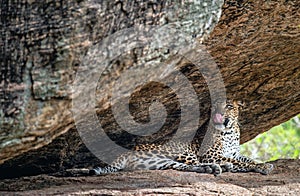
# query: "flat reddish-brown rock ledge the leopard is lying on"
284,180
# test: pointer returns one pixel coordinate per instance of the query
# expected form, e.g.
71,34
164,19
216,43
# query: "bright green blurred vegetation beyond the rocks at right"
280,142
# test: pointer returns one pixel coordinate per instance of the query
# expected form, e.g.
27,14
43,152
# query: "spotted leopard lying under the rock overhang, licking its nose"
219,152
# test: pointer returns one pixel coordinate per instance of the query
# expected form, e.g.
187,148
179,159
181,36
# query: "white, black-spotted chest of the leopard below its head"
230,143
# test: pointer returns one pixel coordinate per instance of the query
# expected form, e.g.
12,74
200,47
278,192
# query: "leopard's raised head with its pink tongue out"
226,113
